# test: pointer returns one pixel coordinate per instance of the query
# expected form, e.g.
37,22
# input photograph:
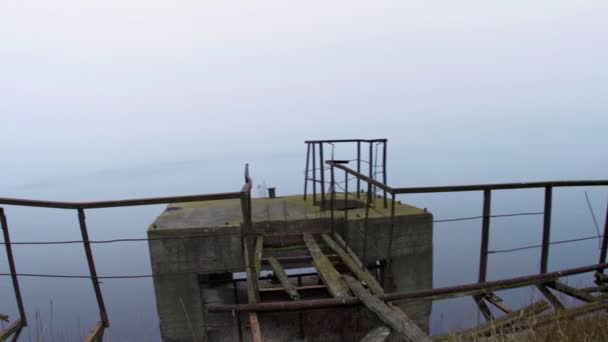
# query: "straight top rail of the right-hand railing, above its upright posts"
499,186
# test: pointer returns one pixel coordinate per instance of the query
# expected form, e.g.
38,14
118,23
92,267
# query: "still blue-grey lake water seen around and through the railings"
65,309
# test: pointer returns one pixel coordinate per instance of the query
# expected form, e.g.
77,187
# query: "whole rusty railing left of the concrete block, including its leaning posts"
96,334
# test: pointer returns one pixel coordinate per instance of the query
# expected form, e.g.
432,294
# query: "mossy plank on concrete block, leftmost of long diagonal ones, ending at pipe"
328,273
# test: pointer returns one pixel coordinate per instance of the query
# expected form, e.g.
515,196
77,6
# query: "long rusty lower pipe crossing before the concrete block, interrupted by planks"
436,293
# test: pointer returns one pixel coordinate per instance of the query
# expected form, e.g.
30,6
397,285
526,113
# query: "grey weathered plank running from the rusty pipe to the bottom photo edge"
398,321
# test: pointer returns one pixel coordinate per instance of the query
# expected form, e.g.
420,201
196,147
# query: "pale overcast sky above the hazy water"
117,82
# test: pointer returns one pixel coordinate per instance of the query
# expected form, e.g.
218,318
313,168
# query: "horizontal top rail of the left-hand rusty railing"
122,203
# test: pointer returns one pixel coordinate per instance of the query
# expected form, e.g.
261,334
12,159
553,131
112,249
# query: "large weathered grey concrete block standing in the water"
201,242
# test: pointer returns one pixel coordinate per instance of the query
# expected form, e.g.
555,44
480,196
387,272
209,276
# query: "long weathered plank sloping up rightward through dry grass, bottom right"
493,326
